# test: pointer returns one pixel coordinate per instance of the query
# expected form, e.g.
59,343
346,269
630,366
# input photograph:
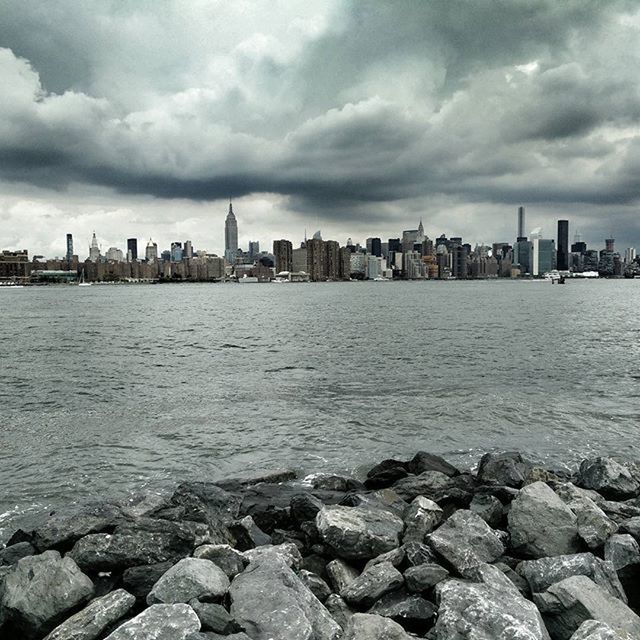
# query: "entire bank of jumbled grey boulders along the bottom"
419,549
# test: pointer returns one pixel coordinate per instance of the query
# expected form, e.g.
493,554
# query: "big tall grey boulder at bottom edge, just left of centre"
269,601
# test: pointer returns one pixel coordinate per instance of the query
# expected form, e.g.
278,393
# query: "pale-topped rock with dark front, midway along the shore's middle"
358,532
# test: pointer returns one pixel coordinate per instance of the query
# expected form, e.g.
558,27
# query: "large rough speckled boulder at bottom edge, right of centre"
487,609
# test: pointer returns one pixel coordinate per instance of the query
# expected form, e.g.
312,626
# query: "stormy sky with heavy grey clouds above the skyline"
142,117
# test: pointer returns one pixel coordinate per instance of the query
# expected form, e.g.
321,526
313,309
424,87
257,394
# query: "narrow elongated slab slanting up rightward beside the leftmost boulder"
96,618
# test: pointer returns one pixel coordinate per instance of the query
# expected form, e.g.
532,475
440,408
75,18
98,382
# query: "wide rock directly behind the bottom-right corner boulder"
544,572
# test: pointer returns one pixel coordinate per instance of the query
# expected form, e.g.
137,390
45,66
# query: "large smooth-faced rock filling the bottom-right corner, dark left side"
567,604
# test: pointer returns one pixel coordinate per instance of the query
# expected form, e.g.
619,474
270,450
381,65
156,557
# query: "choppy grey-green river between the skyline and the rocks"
107,389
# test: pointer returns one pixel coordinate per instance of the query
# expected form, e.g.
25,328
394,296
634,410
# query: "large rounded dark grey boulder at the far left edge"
40,590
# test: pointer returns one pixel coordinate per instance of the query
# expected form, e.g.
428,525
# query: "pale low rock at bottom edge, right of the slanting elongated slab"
159,622
